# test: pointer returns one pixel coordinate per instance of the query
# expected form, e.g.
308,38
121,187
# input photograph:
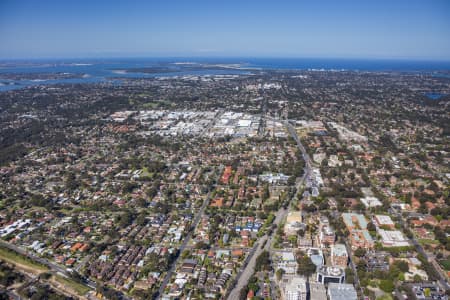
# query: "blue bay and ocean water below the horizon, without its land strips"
108,70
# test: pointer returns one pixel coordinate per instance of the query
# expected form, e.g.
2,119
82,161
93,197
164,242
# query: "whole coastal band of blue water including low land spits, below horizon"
16,75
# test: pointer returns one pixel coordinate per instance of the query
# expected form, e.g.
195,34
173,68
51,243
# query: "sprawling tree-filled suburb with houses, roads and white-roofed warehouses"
267,185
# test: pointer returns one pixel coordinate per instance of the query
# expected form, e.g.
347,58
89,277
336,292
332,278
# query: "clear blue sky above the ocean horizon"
381,29
